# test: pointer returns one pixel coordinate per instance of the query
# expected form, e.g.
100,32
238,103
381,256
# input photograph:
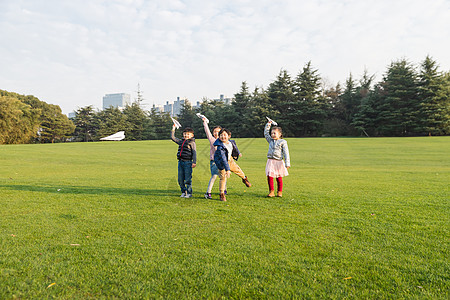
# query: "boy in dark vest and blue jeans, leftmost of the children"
187,159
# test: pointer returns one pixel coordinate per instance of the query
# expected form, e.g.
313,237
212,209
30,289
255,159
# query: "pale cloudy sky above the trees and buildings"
72,53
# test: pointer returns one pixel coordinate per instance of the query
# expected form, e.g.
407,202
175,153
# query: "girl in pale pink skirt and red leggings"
275,167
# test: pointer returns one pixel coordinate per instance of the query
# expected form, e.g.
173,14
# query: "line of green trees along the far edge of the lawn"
407,101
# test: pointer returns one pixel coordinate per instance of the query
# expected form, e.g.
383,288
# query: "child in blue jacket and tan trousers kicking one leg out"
226,151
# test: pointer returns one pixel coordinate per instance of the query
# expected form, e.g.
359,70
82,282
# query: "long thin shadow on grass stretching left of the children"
91,190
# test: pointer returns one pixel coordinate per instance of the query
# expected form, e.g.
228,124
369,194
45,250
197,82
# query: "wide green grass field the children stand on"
360,218
